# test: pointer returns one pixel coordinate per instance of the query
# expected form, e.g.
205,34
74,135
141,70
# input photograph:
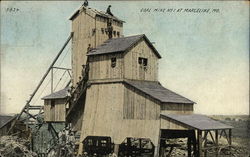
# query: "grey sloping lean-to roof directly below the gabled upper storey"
157,91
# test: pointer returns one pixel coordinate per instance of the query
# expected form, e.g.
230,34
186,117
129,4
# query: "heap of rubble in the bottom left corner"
12,146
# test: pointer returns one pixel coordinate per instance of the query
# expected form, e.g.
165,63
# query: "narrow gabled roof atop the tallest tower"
96,12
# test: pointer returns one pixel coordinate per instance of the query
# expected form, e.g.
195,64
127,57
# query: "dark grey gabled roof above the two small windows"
118,45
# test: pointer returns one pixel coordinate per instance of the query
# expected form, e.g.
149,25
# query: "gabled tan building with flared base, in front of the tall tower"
125,94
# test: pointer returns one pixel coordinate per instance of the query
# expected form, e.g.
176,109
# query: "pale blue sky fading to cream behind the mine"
205,55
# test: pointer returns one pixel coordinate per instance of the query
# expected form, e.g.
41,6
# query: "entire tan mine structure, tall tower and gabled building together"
123,98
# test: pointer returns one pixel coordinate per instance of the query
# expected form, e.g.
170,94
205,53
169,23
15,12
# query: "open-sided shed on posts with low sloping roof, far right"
204,127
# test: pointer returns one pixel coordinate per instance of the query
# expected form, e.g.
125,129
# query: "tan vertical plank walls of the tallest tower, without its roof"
87,28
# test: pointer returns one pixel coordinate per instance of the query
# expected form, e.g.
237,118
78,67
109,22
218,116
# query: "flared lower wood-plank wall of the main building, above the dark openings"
105,114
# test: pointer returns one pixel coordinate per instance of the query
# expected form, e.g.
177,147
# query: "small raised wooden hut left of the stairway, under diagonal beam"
55,106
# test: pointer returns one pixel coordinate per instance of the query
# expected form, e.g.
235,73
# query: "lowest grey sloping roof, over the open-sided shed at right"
197,121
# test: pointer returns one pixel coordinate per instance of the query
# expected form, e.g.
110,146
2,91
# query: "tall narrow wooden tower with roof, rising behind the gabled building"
91,28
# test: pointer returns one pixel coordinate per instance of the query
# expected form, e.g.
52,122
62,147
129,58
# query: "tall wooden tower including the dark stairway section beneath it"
90,28
